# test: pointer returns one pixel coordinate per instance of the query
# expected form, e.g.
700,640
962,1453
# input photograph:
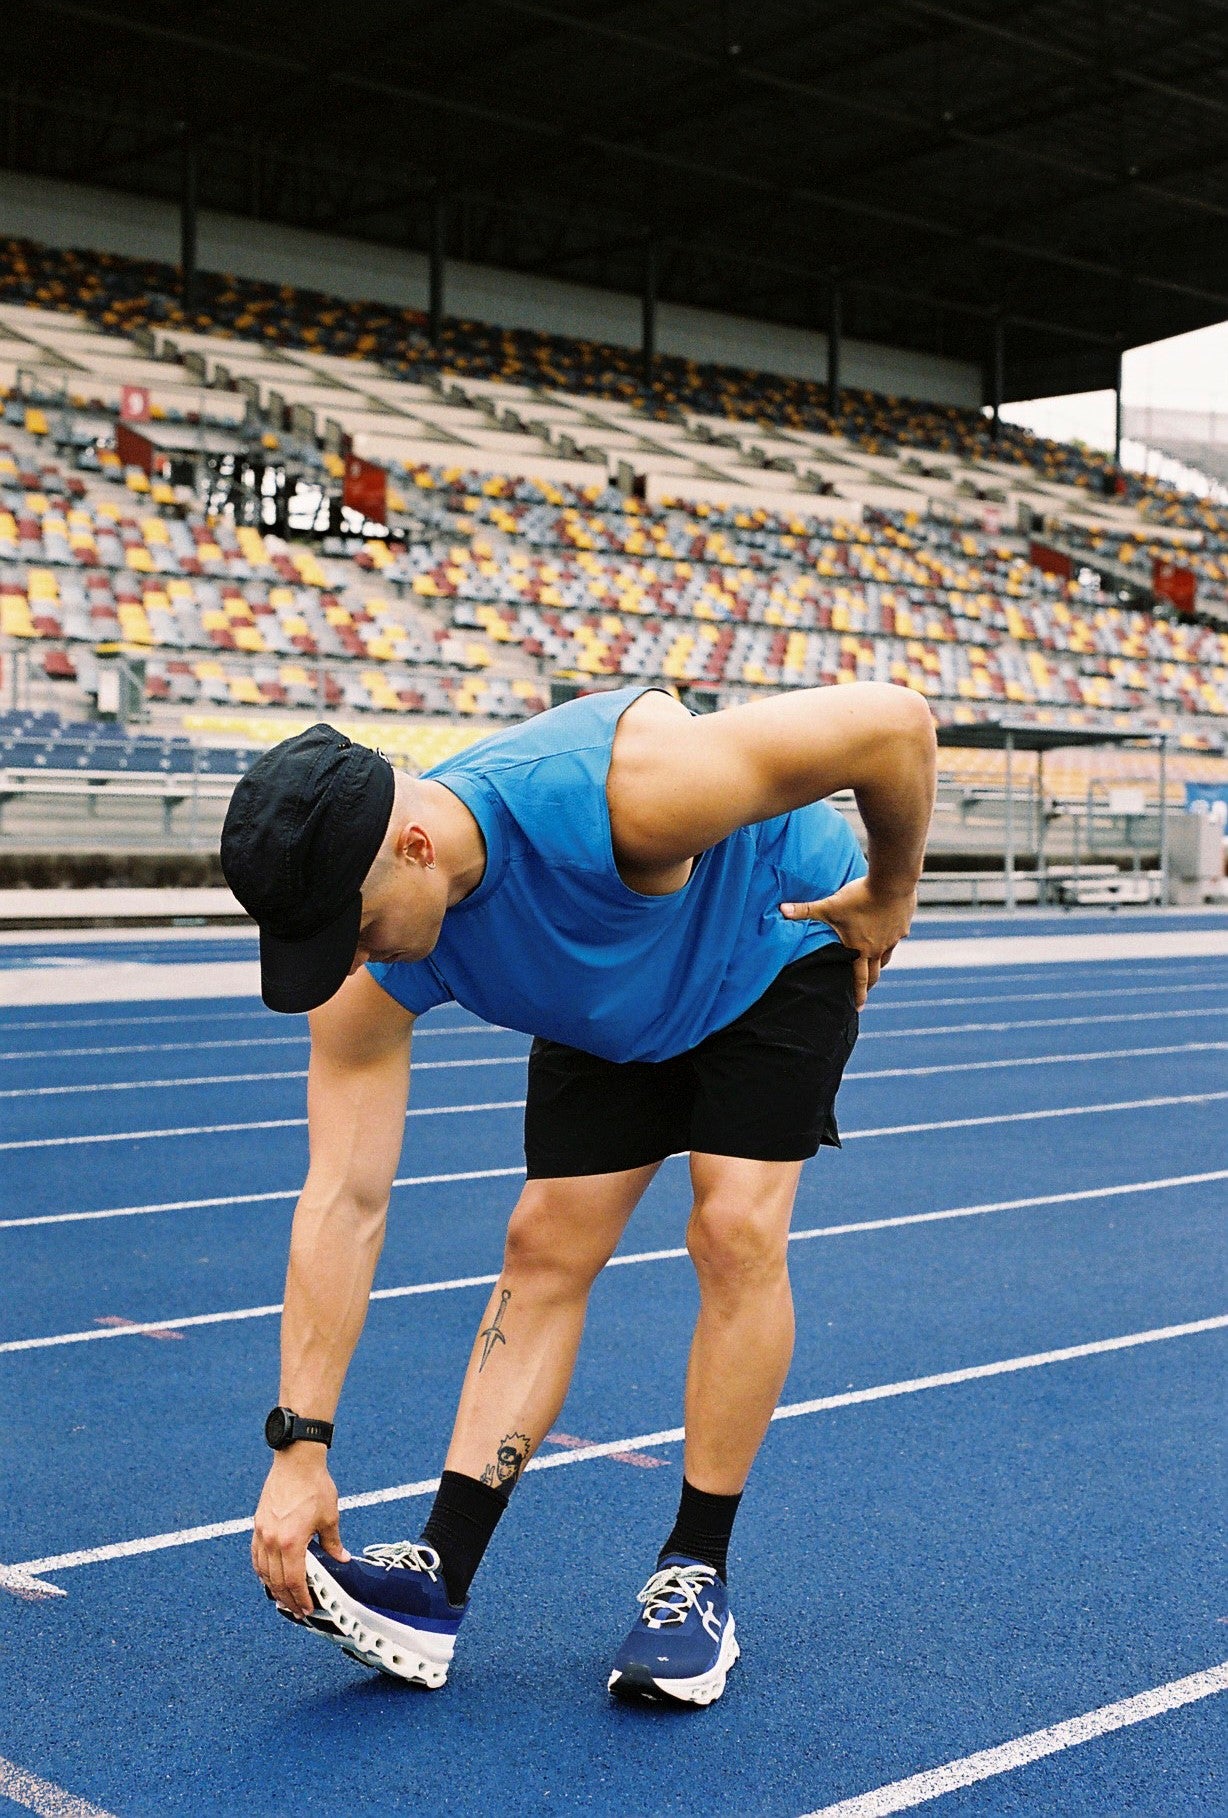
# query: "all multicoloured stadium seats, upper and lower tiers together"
508,579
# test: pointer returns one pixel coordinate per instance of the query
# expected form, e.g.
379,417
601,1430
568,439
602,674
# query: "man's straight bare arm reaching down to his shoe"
357,1092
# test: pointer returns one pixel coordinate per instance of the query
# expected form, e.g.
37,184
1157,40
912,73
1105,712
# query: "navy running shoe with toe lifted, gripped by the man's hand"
388,1610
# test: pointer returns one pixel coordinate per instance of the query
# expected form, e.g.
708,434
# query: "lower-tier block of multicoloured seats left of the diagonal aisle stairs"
77,570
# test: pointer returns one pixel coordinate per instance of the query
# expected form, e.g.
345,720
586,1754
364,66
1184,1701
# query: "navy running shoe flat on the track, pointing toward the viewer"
683,1646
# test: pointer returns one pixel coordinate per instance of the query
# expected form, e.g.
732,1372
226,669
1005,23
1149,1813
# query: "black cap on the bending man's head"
301,835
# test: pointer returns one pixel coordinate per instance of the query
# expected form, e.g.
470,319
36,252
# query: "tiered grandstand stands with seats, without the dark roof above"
339,519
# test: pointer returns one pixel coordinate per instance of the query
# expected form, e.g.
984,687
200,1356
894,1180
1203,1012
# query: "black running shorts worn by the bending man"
761,1088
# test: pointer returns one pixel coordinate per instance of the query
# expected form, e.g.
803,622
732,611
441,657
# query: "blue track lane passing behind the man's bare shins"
872,1308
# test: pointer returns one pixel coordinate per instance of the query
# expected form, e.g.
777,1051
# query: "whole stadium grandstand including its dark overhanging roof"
272,499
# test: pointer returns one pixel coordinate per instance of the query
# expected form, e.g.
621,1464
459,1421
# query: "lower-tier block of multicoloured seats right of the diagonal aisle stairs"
599,586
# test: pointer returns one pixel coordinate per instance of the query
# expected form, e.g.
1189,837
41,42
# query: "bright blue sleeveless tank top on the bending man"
556,944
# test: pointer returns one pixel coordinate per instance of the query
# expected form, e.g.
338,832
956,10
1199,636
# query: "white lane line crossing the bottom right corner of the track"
901,1795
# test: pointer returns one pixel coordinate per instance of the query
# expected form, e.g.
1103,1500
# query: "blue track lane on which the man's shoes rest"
952,1597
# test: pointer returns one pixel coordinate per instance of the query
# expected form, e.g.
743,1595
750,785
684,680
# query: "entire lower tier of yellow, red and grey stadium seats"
579,581
